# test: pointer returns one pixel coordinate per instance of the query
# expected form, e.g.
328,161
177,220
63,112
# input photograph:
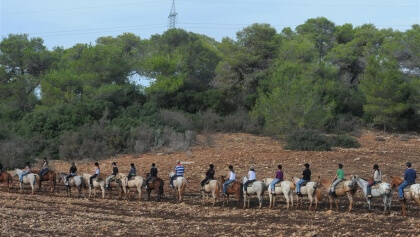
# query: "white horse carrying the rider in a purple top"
284,187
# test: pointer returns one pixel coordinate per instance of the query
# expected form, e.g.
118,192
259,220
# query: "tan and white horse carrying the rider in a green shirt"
342,189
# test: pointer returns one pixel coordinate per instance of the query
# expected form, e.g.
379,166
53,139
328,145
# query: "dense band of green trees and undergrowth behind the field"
84,101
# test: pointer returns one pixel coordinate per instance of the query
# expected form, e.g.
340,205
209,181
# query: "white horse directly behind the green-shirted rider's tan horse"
384,190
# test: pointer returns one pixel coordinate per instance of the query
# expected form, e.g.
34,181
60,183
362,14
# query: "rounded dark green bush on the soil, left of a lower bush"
307,140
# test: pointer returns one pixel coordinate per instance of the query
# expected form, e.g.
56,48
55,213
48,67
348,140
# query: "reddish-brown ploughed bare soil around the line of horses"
49,214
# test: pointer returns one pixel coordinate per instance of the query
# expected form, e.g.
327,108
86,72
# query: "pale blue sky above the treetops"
65,23
